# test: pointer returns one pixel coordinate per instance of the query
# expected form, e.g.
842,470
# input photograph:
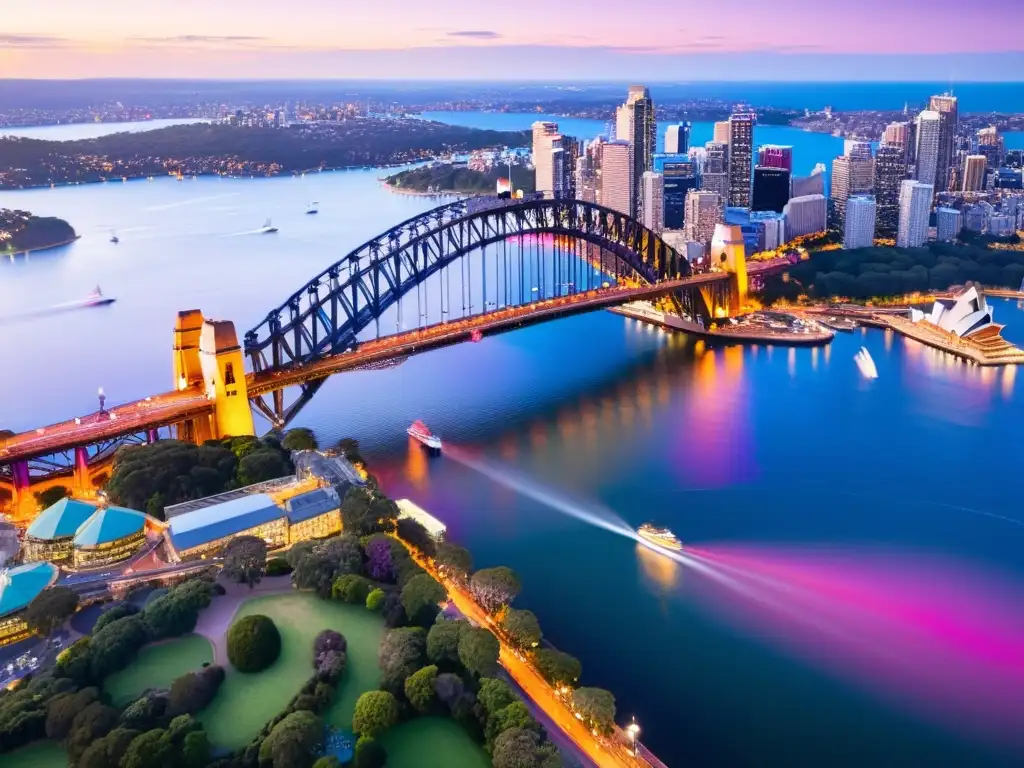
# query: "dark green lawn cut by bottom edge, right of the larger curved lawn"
433,743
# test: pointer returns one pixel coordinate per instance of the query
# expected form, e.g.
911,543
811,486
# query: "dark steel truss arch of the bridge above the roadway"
328,314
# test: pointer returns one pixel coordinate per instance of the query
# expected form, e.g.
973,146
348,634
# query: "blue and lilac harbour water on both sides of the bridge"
789,457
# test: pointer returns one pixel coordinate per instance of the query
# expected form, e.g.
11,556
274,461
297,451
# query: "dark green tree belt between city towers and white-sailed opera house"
868,274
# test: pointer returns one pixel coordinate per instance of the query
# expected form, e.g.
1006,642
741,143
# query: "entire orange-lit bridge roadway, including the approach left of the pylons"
176,407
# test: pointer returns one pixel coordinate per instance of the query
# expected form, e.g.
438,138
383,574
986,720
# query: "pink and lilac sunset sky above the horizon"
529,39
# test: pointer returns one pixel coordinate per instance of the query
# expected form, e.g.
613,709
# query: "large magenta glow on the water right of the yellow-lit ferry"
947,641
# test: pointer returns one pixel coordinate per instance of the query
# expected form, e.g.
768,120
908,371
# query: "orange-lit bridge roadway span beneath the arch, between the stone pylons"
440,335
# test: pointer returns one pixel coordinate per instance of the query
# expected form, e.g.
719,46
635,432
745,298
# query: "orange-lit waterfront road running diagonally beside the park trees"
600,752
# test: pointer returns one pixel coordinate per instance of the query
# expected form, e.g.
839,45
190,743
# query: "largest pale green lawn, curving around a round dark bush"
246,703
